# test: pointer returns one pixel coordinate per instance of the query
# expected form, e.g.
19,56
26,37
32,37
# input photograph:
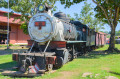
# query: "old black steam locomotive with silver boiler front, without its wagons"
56,41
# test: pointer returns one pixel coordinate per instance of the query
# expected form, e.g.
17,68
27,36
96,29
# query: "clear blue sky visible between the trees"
75,9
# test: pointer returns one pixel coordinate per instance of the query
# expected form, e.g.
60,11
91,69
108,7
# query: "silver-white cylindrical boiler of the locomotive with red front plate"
45,27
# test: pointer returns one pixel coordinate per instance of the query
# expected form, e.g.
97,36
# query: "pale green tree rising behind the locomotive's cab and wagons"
86,16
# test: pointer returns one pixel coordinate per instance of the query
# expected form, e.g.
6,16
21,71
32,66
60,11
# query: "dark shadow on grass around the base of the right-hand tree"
96,54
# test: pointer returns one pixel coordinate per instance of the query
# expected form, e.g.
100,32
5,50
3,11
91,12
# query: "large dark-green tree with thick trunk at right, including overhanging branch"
108,11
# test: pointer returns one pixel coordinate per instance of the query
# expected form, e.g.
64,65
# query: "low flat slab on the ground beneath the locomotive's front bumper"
19,74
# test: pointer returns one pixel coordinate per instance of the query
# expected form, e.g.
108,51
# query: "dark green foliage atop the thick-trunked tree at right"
111,8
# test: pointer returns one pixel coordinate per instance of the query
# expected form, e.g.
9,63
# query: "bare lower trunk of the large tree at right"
112,39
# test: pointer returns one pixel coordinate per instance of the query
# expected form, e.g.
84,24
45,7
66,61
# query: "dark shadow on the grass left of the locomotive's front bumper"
7,66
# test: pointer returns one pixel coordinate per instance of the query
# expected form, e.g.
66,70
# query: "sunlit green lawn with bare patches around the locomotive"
95,62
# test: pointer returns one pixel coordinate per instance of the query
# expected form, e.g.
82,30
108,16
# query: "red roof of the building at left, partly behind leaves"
4,18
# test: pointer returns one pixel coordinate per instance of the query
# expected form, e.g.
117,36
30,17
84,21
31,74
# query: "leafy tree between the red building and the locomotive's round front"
26,8
